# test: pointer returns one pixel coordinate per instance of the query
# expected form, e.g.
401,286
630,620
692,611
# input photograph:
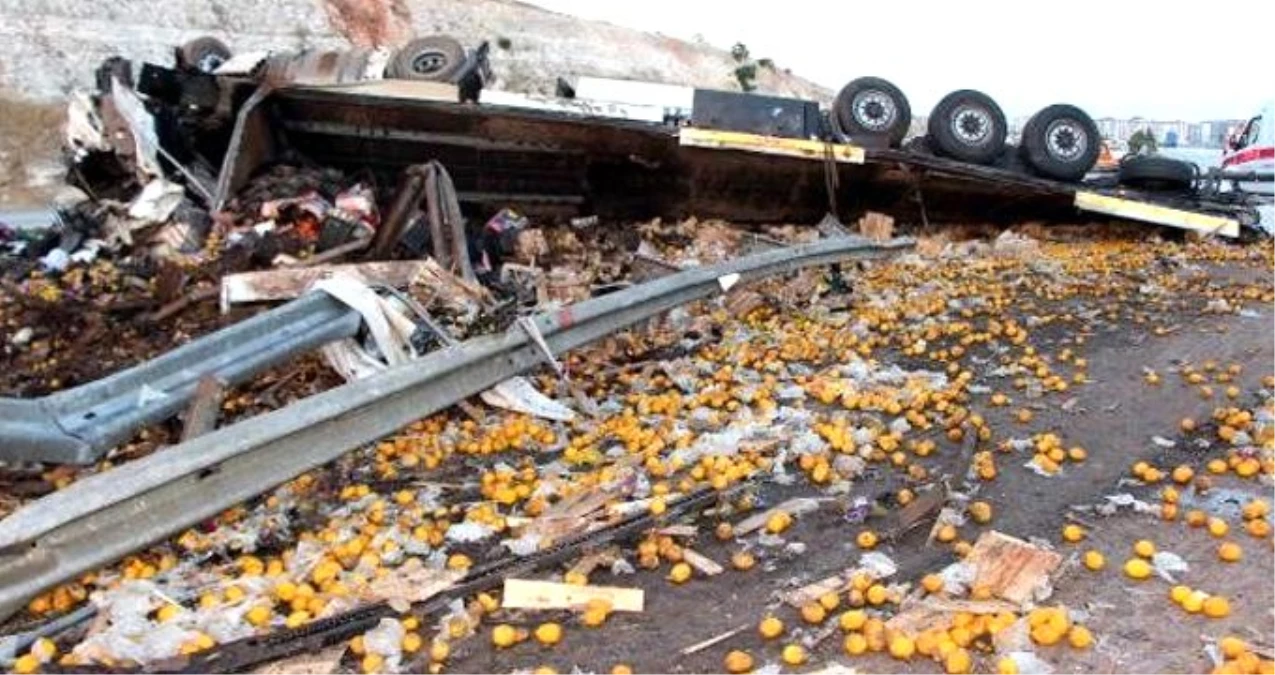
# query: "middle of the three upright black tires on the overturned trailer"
970,127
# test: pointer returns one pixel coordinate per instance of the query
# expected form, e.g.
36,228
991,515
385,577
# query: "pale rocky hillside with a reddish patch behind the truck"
49,48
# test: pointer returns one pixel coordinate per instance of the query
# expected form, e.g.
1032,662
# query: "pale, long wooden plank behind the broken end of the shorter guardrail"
286,284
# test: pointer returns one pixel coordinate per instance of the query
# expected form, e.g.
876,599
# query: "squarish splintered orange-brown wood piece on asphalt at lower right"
1012,568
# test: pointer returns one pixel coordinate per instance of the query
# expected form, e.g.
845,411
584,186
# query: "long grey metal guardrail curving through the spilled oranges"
105,517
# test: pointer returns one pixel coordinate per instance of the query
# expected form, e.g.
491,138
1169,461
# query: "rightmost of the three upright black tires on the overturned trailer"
1061,142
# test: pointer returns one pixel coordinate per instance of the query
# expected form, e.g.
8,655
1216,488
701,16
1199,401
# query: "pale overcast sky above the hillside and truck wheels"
1114,58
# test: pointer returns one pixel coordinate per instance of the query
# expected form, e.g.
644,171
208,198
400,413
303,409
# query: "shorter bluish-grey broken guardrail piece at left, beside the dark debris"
78,426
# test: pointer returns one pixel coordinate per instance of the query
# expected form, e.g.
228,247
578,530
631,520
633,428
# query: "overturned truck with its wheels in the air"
745,158
